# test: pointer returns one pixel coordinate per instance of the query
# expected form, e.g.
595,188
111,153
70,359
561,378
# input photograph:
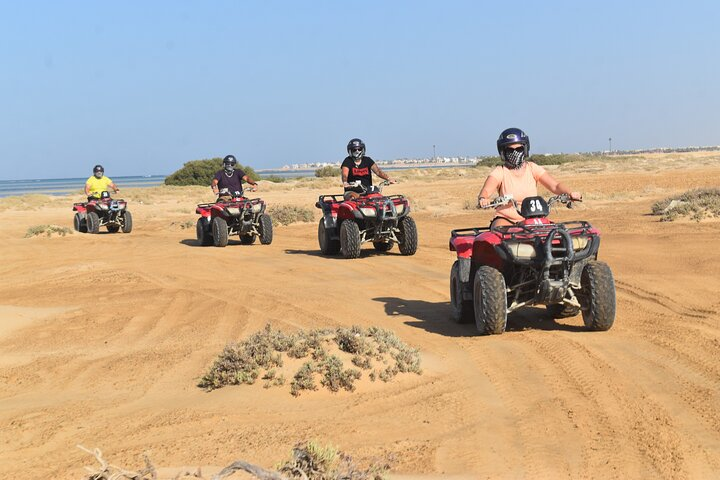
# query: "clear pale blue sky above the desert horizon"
143,87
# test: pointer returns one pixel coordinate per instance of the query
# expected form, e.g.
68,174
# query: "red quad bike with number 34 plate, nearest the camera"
533,262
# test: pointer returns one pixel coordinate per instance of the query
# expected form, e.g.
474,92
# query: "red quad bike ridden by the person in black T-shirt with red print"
372,217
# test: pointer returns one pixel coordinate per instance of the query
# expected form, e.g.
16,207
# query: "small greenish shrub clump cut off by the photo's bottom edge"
313,461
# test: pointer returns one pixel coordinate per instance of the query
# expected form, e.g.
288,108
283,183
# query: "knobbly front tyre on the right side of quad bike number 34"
597,296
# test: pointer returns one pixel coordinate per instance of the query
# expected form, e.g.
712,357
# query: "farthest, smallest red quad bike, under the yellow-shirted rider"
102,212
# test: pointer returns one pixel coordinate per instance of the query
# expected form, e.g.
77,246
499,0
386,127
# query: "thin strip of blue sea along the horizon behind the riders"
65,186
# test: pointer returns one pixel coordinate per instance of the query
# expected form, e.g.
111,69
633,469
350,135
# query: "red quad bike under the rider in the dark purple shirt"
237,216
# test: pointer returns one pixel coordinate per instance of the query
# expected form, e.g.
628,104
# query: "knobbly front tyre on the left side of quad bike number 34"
489,301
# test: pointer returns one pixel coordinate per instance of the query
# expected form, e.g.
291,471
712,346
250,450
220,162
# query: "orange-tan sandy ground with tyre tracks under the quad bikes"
104,337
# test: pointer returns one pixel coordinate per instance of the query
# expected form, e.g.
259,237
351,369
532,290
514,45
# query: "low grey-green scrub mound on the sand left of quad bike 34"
262,355
